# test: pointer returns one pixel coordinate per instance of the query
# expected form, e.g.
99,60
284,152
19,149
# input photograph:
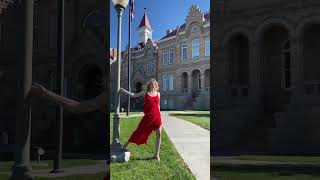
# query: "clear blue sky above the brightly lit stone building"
162,15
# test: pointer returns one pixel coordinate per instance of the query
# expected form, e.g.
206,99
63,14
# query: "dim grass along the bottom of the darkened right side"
227,171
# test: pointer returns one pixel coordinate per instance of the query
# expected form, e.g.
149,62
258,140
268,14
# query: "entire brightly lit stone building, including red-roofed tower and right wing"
180,61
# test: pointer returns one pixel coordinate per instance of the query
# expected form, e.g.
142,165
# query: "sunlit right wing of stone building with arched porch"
184,63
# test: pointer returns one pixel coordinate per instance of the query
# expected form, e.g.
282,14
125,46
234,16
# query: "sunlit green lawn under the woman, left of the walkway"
141,166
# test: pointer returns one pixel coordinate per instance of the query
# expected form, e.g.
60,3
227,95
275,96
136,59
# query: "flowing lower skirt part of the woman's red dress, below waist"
148,124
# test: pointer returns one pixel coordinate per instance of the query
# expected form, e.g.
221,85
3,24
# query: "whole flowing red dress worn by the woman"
150,121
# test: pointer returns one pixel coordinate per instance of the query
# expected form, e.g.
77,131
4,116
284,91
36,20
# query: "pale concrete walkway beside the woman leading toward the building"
192,142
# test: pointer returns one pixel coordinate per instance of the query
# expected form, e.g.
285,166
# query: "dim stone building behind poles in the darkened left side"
85,66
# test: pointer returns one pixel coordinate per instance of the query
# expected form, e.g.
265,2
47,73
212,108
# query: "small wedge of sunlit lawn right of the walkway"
200,118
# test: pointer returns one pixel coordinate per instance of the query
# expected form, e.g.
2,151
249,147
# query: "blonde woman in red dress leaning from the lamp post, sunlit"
151,120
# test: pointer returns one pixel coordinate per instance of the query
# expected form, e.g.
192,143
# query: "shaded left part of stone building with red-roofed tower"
144,58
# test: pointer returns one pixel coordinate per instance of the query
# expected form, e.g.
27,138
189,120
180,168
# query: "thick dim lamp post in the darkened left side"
22,168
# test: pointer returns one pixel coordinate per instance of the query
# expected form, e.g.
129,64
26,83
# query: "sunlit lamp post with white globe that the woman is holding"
117,153
